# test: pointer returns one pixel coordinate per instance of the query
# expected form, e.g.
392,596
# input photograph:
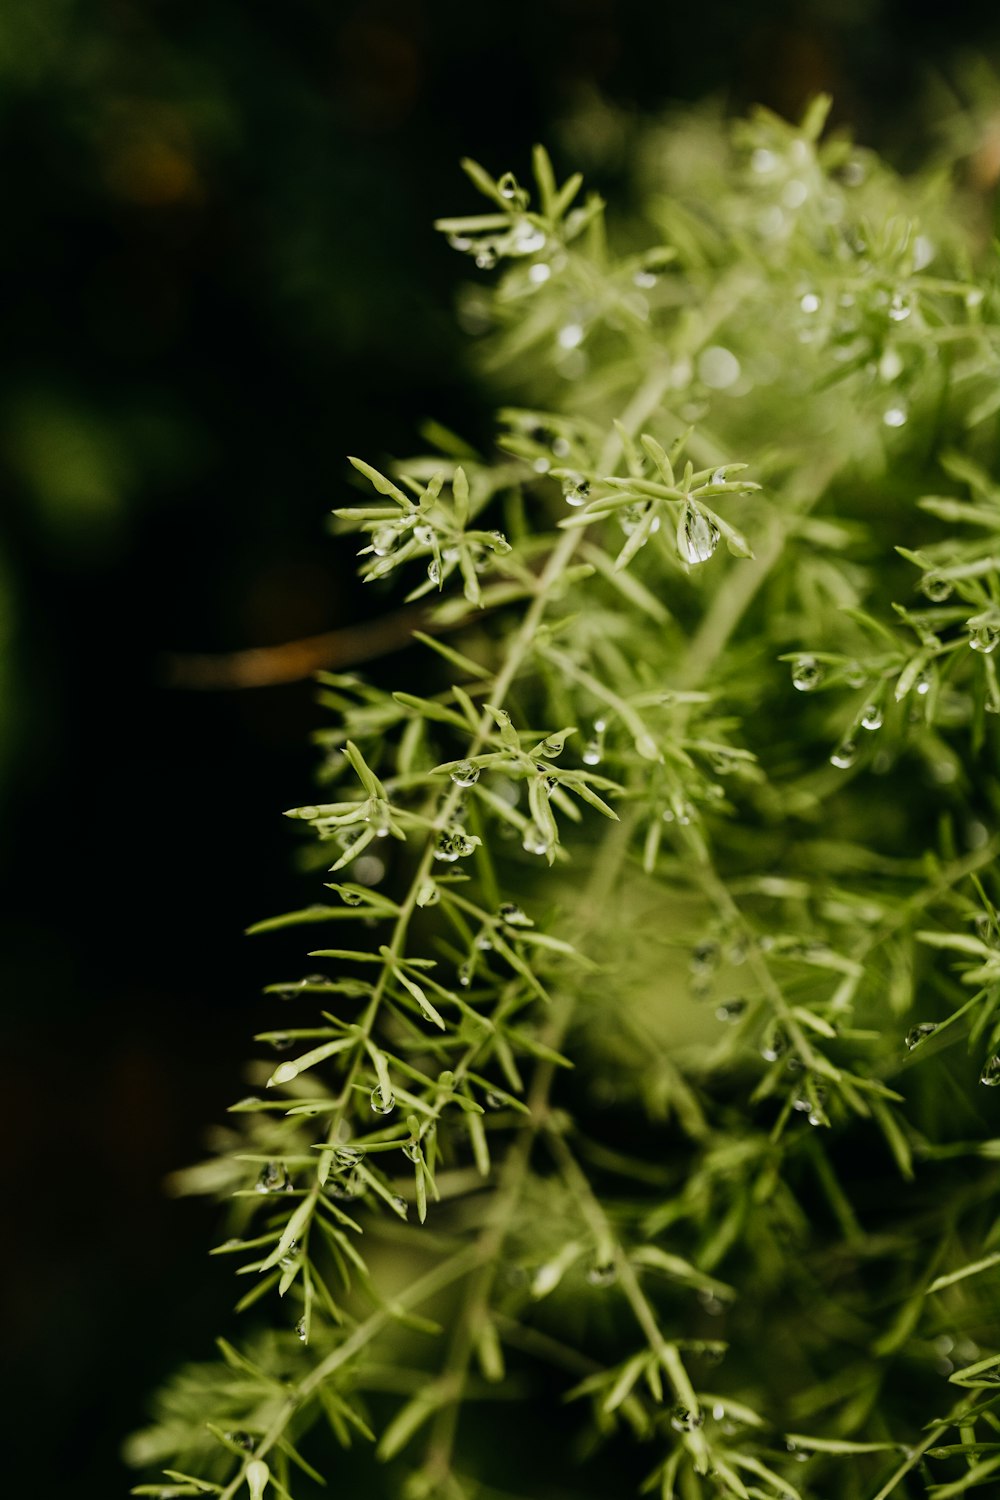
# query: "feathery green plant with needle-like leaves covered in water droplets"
638,1081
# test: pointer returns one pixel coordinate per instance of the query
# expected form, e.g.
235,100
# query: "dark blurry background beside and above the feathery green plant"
220,277
